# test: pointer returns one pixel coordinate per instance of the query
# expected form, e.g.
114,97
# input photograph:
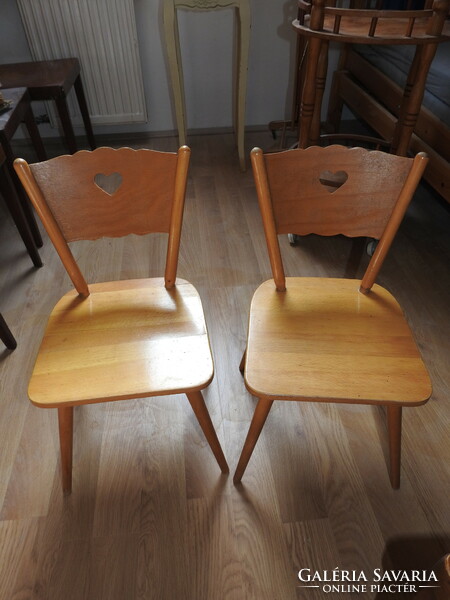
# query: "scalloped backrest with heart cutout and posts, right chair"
334,190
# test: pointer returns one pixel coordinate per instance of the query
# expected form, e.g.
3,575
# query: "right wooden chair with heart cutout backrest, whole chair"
332,340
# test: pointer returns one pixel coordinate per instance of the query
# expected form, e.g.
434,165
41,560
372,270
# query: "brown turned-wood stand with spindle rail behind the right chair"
319,23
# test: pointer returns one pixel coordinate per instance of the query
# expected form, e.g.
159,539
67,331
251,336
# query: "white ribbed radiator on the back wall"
102,34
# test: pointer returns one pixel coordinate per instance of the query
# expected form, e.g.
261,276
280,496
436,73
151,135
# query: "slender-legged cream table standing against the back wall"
174,54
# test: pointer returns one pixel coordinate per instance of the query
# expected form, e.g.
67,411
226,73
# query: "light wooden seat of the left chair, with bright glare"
128,339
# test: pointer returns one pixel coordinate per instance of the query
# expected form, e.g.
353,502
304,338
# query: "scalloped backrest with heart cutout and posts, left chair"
108,193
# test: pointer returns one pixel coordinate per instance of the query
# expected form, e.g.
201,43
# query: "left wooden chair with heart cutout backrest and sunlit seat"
123,339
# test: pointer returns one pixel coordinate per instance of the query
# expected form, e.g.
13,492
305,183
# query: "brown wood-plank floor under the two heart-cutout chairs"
150,516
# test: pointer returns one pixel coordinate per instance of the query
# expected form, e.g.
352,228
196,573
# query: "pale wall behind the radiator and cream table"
207,40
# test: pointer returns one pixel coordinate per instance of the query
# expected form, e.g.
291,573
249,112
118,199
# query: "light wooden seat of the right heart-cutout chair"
323,339
